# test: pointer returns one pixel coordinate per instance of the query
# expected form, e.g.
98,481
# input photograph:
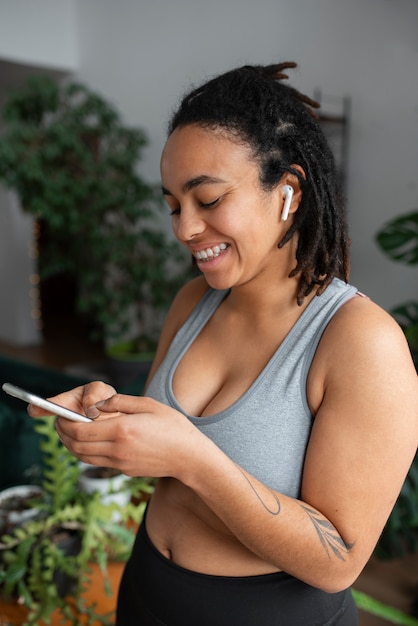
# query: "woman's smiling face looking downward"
219,210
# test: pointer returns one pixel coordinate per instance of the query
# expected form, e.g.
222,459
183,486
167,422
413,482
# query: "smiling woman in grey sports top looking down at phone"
280,413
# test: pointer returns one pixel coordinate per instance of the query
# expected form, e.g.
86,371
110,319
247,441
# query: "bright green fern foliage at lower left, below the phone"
71,529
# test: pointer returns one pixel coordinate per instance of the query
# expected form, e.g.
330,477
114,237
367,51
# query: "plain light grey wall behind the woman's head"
143,55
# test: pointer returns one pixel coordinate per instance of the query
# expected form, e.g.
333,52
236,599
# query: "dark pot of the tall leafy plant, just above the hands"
126,367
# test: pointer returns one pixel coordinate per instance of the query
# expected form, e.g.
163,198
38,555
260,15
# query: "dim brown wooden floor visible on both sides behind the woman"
67,349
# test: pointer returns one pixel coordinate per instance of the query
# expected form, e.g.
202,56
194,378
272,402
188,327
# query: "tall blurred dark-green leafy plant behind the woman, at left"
74,166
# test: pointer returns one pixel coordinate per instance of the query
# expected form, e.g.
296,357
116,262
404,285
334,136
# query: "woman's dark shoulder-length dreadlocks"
280,127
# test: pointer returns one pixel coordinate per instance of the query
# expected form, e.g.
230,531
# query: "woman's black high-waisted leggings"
154,591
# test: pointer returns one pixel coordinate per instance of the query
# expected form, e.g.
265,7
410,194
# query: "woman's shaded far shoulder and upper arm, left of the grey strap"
183,304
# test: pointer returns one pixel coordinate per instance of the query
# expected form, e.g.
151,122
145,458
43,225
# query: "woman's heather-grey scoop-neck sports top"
266,430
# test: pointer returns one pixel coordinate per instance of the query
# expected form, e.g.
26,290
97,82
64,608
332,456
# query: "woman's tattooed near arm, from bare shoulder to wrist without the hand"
363,441
